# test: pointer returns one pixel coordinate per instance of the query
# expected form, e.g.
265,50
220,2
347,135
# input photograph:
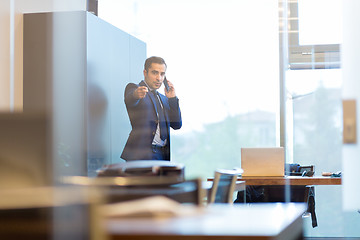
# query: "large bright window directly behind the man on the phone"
223,58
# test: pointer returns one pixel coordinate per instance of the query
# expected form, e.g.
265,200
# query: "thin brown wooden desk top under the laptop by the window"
289,180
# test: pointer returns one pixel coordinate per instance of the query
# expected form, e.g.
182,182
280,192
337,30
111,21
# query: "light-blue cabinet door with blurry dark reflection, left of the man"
108,72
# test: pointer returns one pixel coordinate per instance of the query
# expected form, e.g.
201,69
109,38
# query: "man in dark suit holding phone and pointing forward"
151,114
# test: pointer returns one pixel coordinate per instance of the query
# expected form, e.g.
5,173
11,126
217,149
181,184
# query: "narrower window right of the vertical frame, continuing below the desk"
312,81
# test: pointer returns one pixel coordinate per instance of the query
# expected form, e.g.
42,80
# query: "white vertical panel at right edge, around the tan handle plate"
351,90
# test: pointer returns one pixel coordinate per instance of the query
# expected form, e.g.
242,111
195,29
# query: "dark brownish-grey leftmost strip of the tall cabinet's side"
37,61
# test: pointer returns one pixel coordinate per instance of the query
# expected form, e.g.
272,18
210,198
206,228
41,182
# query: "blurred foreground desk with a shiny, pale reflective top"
218,221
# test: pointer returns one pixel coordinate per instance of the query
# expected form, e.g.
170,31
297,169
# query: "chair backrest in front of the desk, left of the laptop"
223,186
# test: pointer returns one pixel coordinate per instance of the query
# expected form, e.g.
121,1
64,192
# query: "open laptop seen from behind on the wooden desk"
263,162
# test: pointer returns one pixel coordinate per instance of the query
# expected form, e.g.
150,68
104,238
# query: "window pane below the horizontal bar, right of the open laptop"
314,102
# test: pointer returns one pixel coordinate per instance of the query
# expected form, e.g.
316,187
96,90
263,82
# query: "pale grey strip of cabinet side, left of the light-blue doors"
69,79
